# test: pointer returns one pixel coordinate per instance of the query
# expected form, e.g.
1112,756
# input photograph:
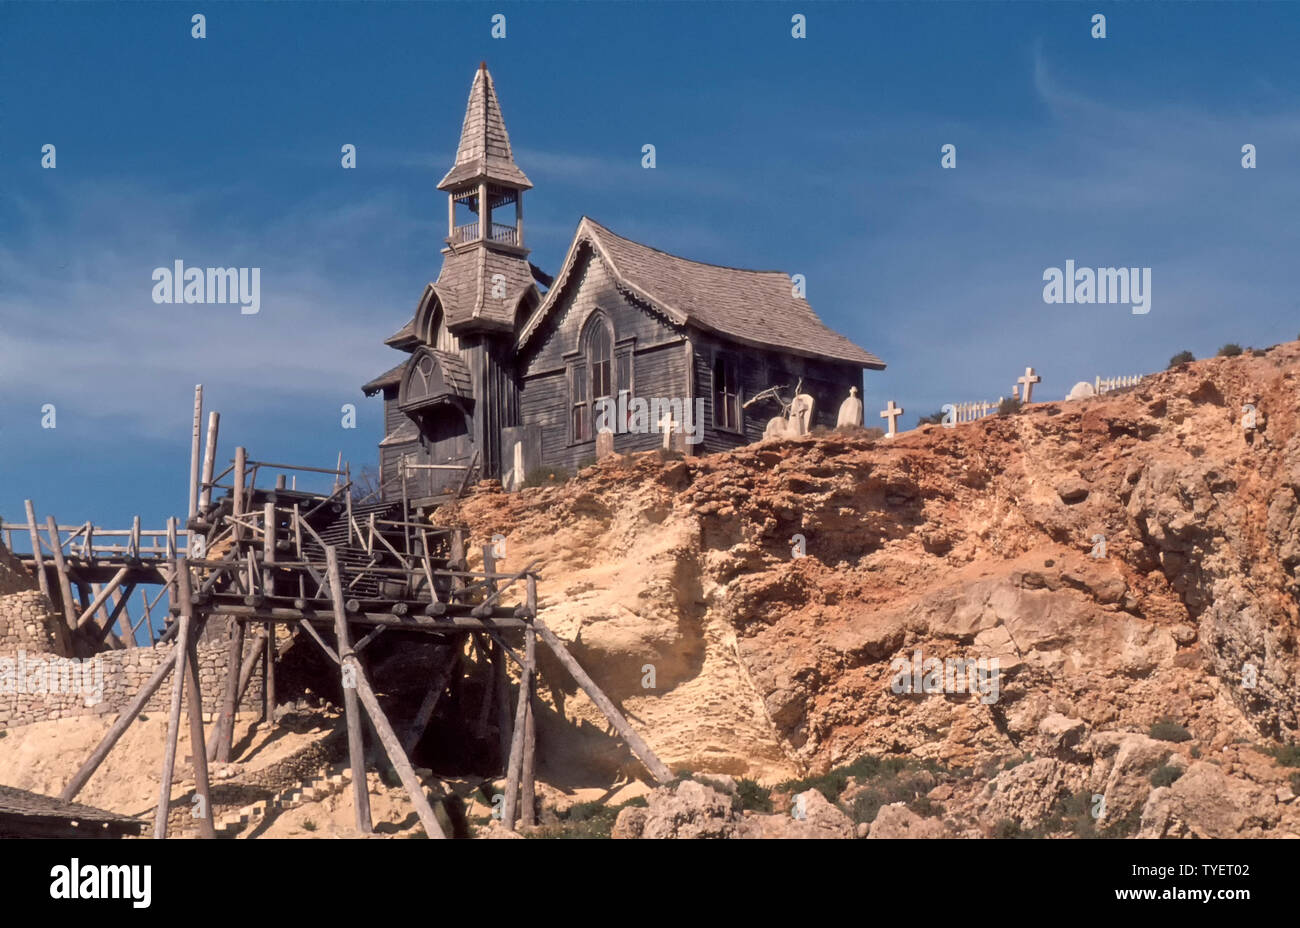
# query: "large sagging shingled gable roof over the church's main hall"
753,307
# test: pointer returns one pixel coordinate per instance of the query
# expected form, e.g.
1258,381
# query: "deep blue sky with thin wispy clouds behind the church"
817,157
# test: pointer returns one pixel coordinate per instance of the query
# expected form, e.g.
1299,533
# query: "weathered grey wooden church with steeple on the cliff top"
502,355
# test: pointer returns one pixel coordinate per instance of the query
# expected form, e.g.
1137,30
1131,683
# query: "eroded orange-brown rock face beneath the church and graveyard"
1124,558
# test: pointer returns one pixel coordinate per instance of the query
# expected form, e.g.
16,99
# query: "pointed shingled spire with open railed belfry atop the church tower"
486,179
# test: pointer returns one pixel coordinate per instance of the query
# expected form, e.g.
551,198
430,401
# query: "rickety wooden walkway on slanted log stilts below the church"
330,569
